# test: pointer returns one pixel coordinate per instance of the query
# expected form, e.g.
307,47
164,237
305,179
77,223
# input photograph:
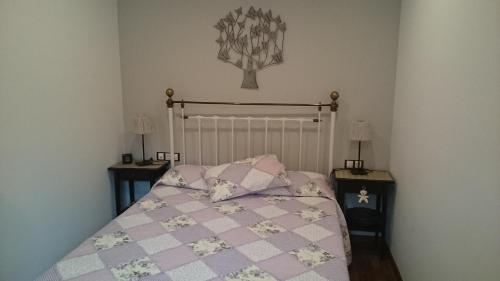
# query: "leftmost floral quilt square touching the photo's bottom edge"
135,269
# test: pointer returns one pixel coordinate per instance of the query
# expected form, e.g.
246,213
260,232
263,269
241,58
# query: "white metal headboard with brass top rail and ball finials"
284,120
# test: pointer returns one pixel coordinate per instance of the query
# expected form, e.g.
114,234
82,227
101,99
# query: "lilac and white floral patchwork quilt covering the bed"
178,234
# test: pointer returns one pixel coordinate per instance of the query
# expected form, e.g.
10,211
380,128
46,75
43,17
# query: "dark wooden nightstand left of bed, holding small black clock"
132,173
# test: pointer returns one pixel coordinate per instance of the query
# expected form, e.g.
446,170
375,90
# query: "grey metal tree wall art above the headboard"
251,42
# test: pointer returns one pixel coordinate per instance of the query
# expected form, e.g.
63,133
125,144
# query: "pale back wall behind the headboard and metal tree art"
349,46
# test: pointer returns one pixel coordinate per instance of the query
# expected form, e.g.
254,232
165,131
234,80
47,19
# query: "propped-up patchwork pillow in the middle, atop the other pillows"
245,177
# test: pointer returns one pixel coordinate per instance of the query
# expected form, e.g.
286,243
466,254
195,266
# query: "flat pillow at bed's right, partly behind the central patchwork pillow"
303,184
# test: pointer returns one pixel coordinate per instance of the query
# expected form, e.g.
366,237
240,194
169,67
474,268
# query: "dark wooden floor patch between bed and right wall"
368,264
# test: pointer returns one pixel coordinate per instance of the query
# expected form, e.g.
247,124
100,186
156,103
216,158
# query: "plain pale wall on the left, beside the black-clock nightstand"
61,125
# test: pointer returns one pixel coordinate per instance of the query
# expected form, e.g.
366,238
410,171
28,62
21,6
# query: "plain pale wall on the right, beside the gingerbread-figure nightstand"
445,150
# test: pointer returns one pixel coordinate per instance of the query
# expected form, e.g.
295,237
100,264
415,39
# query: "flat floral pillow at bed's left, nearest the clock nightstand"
189,176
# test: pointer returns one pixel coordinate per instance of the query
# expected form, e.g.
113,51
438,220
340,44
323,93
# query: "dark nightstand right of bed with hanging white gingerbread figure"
376,184
